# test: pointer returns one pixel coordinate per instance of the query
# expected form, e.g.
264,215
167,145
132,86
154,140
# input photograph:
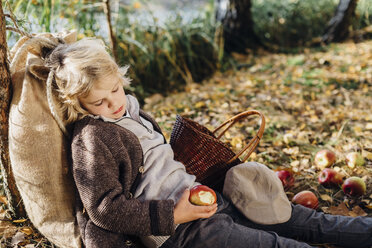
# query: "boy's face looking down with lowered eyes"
106,98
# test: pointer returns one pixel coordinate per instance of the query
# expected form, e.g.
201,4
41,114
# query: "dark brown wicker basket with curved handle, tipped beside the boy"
204,154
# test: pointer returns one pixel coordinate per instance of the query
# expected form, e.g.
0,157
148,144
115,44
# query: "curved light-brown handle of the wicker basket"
253,142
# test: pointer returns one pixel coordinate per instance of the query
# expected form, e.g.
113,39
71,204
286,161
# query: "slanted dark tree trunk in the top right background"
338,27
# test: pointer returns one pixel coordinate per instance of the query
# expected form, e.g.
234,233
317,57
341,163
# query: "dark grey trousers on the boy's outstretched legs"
229,228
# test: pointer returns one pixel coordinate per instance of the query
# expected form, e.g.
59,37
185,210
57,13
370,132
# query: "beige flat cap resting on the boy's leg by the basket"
258,193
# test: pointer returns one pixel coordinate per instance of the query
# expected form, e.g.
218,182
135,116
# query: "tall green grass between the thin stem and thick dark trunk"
164,57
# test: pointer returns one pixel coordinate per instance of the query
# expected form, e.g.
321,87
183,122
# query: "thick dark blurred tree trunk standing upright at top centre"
238,26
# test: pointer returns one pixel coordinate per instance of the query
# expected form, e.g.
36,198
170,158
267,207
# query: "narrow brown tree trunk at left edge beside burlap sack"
11,190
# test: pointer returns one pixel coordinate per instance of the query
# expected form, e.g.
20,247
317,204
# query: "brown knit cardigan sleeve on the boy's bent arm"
98,178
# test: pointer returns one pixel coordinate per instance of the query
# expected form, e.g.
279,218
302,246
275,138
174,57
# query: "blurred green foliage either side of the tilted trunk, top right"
292,23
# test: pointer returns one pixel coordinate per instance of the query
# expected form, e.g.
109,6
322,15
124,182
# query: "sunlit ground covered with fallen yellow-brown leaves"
319,99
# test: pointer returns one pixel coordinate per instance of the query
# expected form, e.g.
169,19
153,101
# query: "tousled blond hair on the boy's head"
75,68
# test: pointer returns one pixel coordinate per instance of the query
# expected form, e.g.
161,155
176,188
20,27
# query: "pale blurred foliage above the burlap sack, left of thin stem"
53,16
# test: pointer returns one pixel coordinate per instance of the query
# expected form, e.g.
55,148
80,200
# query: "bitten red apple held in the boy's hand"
202,195
